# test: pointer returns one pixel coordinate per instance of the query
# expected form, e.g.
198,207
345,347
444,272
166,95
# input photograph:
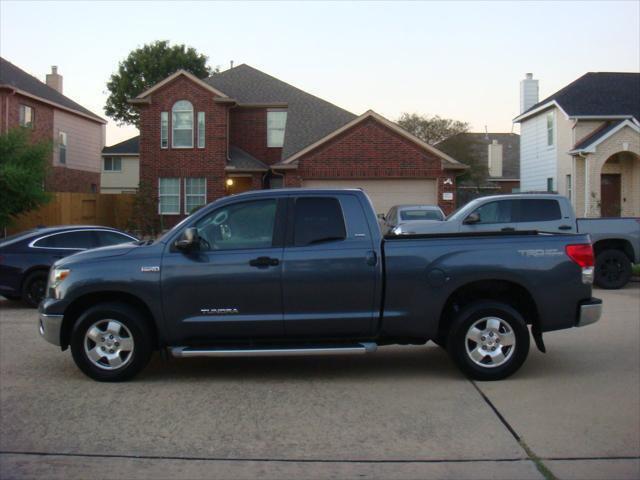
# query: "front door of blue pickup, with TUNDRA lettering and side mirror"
231,286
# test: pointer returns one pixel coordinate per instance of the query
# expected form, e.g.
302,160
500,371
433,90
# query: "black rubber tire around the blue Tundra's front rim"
138,332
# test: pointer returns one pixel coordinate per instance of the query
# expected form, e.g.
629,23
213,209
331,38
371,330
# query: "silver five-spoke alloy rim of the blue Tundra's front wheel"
108,344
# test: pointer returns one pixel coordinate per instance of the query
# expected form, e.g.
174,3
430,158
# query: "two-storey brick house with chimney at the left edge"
77,134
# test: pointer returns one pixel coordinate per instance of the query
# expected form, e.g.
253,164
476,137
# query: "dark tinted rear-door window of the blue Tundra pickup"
317,220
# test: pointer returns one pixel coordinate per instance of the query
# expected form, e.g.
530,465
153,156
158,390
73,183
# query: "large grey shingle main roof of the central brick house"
309,118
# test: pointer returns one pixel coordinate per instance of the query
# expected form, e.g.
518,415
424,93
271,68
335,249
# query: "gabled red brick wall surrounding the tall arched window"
208,162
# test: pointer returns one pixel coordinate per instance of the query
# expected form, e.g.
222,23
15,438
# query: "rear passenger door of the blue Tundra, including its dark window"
331,270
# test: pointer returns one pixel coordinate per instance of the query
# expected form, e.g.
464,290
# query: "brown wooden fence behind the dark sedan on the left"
109,210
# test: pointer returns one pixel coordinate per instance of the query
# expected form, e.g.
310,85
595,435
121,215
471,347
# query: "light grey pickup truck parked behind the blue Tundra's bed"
616,241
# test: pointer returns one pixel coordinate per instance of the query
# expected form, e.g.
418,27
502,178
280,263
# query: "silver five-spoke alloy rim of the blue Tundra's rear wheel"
490,342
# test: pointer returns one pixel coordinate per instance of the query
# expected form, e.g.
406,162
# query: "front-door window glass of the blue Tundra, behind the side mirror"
240,226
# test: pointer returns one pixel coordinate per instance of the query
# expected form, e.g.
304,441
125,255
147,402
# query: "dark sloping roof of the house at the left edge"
15,78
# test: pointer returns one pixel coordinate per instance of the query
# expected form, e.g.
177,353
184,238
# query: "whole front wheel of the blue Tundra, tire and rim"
111,342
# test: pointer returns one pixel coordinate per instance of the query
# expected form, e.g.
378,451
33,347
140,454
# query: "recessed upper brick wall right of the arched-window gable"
248,131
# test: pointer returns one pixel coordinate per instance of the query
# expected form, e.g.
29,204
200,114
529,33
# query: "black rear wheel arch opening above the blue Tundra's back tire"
505,291
